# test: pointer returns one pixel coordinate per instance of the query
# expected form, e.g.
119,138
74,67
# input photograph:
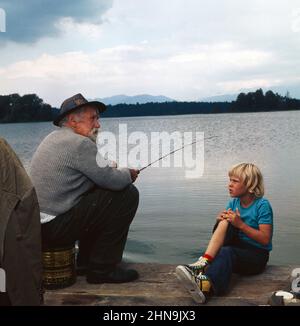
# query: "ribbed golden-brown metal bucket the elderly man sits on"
59,267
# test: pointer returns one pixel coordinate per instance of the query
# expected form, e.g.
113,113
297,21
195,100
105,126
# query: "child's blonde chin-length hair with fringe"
251,177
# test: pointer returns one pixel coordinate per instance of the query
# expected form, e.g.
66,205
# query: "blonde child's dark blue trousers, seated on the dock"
235,256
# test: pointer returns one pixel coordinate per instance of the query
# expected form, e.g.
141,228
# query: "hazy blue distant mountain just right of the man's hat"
141,99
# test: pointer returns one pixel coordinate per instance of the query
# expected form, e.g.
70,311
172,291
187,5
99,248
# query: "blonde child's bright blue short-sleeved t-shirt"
259,212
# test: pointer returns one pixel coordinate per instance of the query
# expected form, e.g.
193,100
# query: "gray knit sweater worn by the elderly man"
64,167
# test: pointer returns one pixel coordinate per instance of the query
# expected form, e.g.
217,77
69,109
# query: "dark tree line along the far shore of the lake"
31,108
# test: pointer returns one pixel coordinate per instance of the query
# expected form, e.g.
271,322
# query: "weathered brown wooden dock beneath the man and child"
158,286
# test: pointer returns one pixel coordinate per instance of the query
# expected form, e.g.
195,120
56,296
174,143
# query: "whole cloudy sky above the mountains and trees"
183,49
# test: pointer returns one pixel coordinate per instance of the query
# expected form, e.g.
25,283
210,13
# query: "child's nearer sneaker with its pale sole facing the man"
198,286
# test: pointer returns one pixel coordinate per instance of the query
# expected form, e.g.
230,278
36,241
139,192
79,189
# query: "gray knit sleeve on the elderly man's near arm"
99,170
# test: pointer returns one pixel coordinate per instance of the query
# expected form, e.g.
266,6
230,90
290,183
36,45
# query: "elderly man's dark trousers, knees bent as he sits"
100,221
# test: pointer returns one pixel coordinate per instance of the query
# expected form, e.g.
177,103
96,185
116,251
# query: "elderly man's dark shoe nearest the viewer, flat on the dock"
118,275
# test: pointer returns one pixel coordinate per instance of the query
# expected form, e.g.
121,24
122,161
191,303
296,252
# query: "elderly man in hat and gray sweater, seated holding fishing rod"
80,200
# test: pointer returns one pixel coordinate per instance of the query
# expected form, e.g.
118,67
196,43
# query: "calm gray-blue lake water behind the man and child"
174,220
